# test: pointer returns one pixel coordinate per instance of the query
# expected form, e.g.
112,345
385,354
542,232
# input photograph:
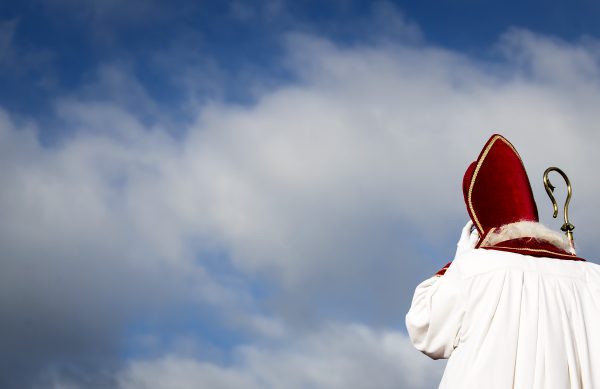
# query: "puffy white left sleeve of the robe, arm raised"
434,319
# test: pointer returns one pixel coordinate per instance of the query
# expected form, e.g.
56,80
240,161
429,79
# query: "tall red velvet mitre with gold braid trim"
496,187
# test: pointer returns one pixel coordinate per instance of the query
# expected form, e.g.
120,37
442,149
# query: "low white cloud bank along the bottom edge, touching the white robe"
337,356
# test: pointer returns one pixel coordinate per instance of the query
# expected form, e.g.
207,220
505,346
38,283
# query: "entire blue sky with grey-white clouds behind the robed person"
238,194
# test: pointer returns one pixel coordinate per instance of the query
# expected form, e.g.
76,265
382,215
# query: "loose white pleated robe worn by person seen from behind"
507,320
